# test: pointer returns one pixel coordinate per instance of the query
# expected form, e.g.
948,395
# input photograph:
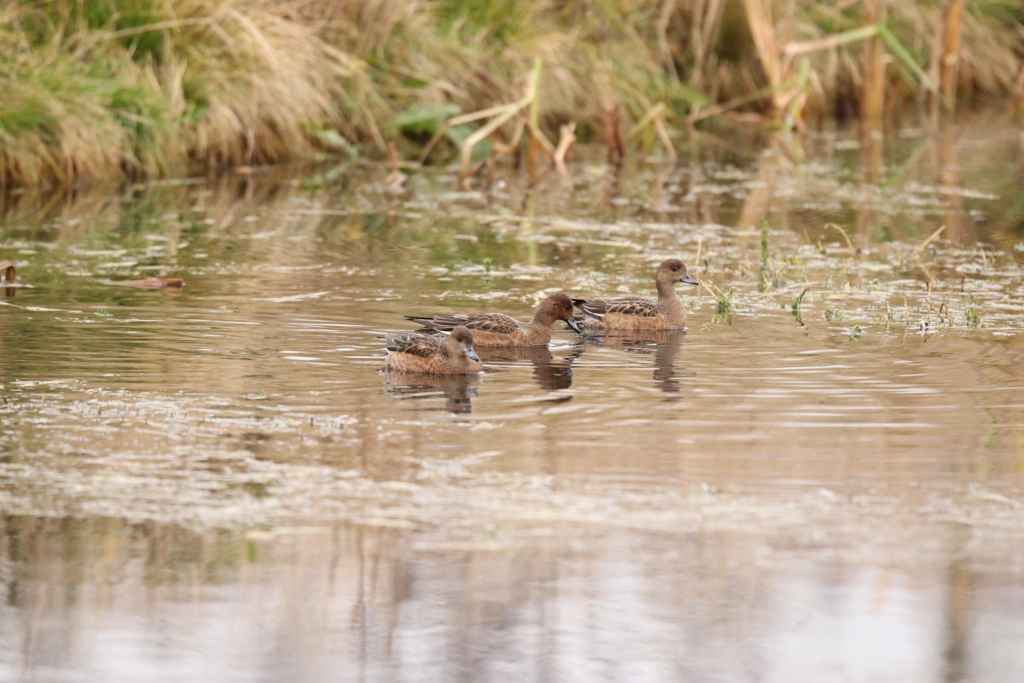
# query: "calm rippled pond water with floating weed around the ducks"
219,484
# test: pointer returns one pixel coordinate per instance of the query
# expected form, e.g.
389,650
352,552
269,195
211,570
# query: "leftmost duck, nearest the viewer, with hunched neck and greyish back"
452,354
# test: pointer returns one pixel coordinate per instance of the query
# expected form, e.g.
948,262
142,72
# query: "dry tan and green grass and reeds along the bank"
108,91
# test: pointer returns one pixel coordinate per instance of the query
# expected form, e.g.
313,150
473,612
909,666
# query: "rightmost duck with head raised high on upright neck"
634,313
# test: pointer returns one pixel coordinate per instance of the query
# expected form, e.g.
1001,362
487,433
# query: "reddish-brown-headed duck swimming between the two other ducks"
499,330
